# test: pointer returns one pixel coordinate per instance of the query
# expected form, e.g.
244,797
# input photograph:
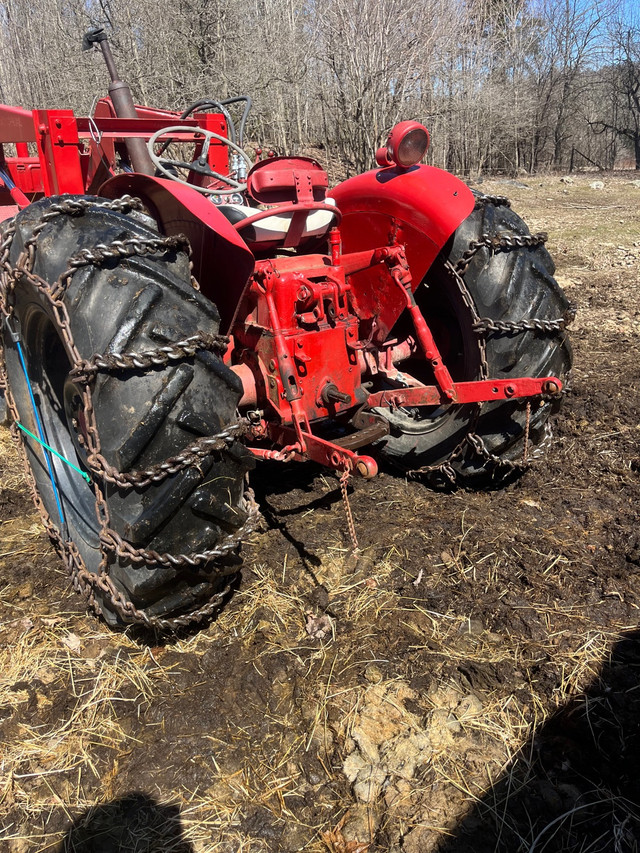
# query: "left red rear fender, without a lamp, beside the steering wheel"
222,263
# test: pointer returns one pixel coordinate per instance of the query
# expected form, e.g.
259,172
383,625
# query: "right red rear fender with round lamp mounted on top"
419,208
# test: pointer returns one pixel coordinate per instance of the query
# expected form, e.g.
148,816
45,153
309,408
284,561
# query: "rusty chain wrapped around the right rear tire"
482,326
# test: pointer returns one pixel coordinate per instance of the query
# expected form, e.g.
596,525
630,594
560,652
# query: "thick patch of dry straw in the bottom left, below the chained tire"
50,762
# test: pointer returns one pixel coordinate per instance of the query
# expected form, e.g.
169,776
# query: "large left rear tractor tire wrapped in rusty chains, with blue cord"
153,537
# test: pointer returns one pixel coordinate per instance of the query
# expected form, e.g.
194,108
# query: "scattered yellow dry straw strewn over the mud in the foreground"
72,763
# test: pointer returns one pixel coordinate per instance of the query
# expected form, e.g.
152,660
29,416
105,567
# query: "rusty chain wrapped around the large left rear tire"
84,581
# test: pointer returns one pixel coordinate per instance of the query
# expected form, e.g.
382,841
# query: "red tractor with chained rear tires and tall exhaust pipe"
173,311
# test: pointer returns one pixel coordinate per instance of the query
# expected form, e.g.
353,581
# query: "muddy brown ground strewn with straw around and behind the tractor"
477,687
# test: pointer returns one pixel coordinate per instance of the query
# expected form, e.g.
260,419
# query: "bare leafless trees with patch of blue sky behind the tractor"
504,85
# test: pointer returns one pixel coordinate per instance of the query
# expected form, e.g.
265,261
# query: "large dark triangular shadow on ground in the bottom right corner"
575,786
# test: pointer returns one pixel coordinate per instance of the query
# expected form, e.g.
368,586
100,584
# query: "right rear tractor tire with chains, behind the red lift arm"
496,312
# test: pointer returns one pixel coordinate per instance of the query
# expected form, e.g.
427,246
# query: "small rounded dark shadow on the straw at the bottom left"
132,823
